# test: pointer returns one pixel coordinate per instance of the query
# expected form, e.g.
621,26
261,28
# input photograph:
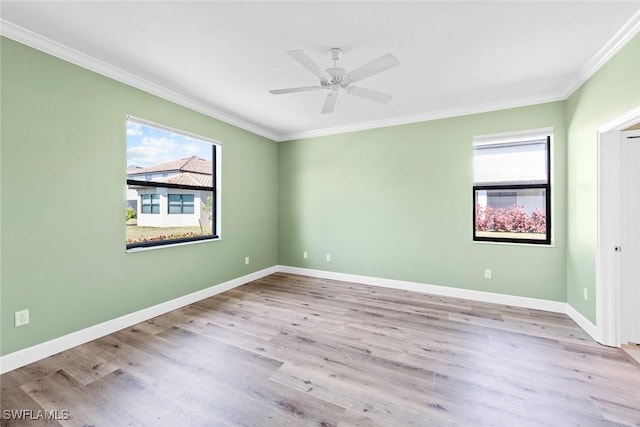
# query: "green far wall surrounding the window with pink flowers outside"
397,203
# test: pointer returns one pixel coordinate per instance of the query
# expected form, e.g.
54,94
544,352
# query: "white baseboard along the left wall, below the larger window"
37,352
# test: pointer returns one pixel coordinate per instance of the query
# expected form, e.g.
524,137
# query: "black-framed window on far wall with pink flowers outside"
512,188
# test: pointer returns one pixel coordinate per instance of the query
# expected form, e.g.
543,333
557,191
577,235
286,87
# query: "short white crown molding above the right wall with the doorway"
617,42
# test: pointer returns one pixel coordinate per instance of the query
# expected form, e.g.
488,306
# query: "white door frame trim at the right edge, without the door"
608,228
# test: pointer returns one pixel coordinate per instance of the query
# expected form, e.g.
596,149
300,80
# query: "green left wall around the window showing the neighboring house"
63,201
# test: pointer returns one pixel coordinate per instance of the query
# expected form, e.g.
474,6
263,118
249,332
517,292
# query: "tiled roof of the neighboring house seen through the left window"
189,171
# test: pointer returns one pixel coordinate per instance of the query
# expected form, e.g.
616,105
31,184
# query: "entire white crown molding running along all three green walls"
36,41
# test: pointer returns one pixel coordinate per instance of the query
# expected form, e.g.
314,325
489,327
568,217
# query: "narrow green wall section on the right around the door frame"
610,93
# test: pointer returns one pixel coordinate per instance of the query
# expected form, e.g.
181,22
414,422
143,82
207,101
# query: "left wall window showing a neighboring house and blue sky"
173,175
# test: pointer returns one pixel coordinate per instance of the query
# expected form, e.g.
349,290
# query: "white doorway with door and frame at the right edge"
617,271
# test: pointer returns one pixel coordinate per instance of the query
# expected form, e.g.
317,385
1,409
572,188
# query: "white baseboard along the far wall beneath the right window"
539,304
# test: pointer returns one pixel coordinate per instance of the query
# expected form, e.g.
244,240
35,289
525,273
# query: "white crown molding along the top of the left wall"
51,47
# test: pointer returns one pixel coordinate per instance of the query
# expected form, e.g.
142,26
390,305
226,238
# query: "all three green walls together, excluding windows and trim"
392,202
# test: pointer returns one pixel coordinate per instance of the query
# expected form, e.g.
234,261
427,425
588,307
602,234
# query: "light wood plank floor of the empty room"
289,350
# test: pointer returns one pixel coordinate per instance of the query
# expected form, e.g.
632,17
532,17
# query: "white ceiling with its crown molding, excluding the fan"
221,58
